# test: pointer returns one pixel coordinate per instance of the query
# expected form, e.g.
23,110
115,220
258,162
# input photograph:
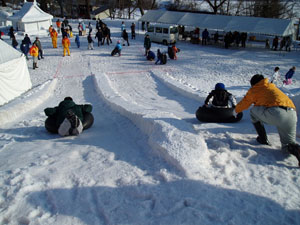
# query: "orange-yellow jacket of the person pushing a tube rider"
264,94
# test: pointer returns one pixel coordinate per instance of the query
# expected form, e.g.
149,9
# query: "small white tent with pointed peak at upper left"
31,19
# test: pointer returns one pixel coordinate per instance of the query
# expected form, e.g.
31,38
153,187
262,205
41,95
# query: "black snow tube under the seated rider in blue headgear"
217,115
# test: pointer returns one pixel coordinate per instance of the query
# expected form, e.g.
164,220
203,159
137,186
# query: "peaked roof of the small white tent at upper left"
30,12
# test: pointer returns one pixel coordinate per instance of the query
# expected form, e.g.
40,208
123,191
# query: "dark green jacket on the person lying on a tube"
60,111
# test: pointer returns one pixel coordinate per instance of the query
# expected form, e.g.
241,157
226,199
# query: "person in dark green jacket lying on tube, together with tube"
68,118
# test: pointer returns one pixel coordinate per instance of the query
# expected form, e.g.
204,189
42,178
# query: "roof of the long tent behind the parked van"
256,25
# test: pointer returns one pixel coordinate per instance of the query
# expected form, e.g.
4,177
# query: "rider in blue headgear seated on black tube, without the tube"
221,98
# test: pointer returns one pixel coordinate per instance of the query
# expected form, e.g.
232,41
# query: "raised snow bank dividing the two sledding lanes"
182,147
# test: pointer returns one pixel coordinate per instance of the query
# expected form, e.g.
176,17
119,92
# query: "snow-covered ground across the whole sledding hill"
146,159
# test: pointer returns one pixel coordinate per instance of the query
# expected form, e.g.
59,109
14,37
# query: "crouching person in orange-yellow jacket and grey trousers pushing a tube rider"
273,107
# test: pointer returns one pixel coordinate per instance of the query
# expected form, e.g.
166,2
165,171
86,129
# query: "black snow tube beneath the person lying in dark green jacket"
50,123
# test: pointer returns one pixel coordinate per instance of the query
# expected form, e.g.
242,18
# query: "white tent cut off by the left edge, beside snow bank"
14,74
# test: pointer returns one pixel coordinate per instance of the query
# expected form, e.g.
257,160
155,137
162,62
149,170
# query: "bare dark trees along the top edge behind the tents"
127,8
